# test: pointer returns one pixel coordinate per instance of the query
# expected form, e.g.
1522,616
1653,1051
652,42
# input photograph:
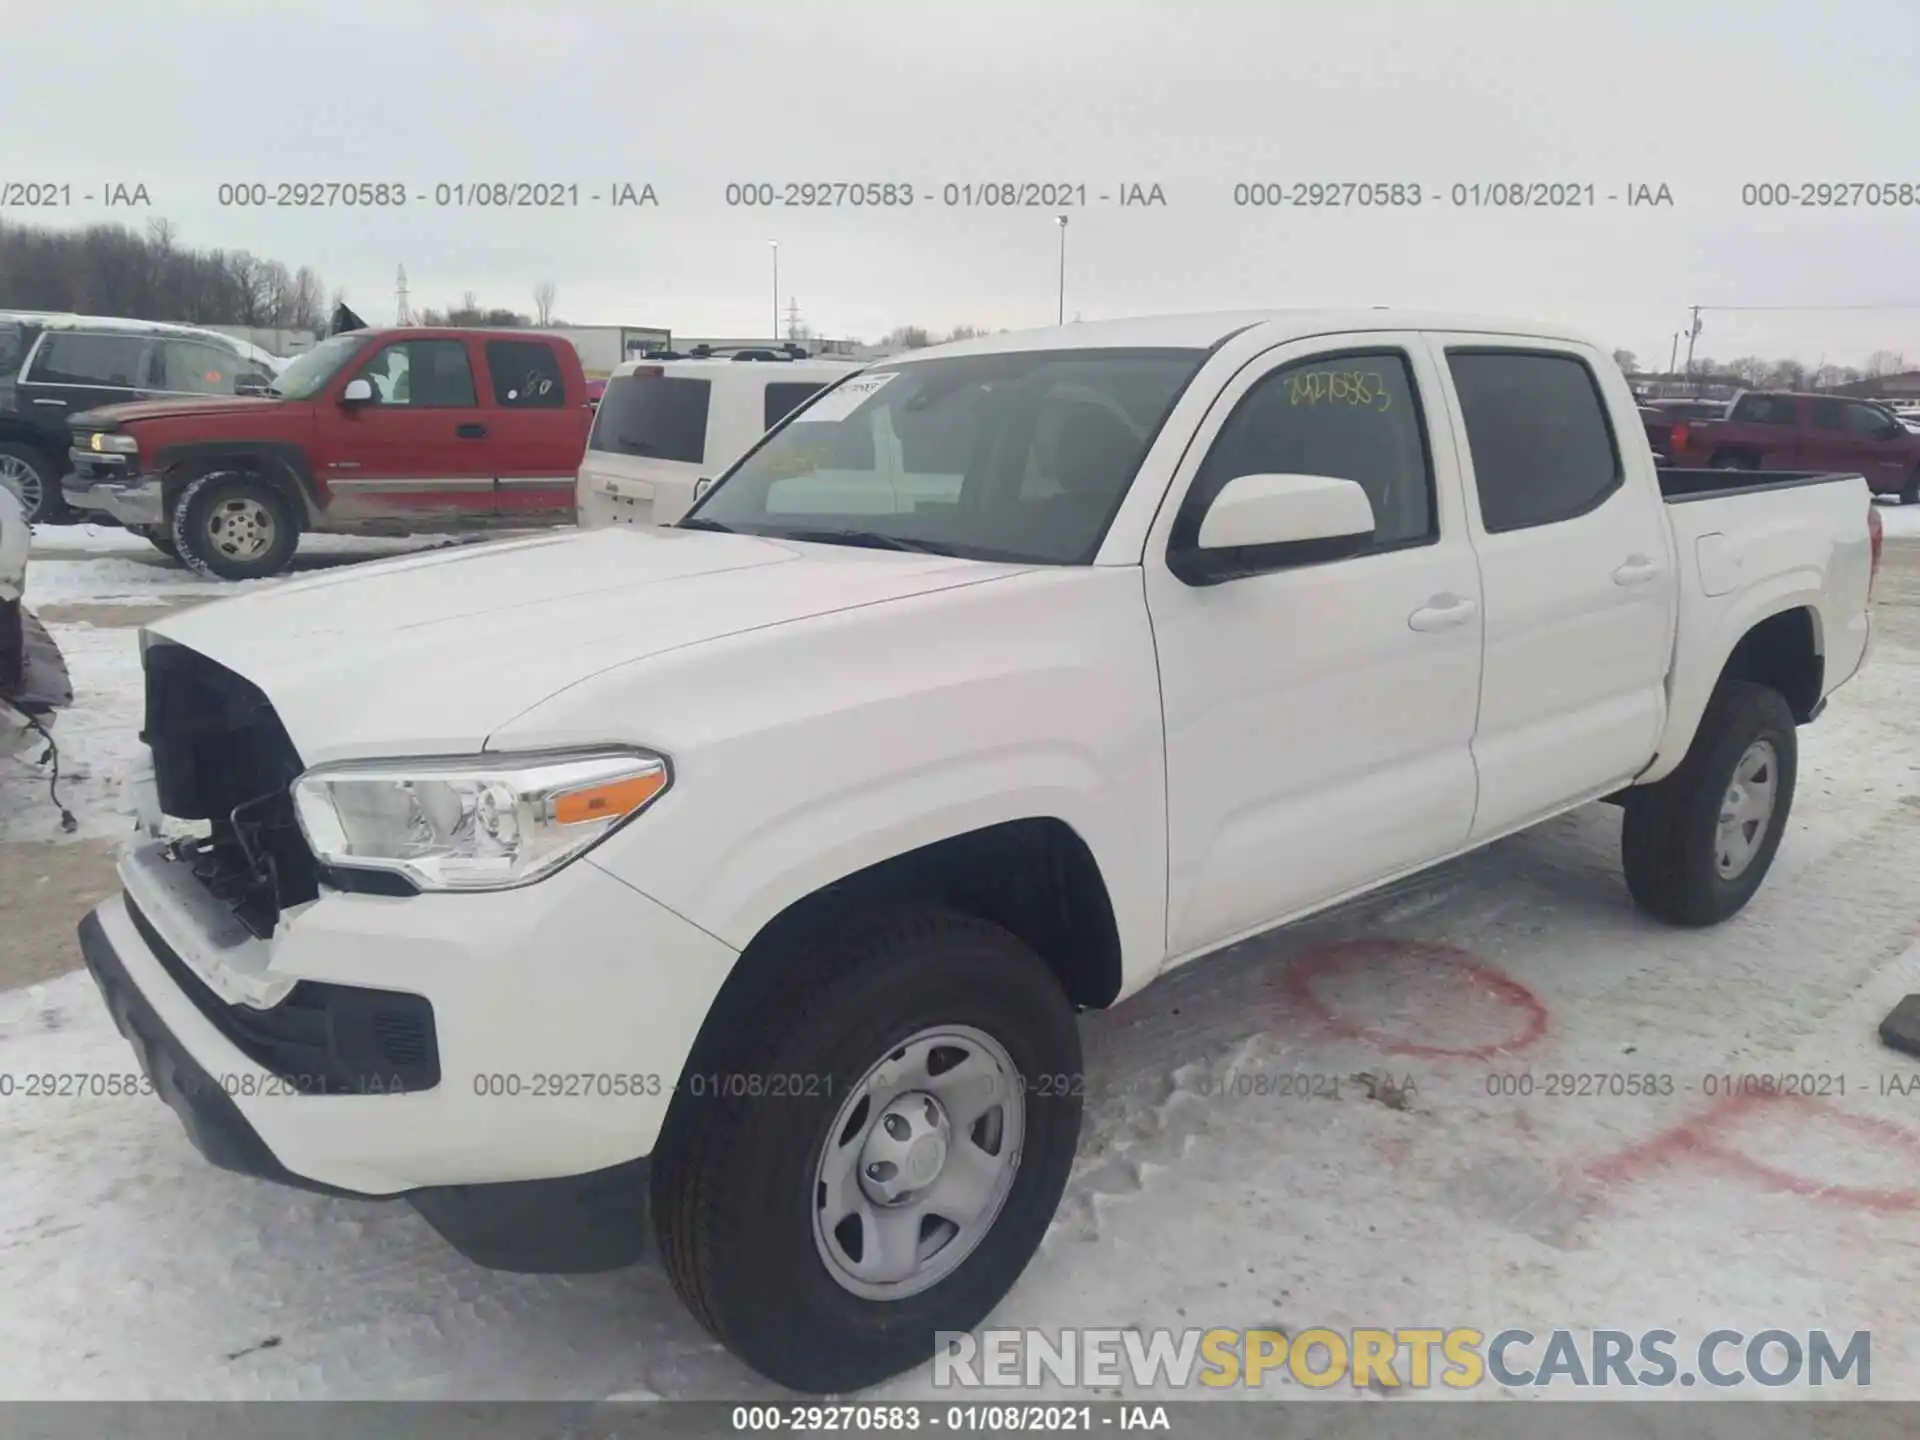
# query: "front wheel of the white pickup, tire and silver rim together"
871,1149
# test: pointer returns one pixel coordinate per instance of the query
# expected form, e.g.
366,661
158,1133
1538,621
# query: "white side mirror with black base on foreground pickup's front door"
1262,523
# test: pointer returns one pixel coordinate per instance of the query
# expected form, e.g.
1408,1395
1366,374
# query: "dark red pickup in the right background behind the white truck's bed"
1779,431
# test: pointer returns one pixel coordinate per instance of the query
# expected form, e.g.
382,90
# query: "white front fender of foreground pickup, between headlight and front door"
807,754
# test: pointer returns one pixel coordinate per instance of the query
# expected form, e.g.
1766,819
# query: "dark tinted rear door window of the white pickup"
1539,435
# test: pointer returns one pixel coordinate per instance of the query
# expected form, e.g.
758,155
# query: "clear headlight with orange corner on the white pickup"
485,823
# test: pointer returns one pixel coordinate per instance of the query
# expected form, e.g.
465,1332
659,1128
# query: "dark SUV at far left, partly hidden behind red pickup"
59,366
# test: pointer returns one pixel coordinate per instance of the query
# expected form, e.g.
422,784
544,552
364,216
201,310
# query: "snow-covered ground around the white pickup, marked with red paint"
1203,1197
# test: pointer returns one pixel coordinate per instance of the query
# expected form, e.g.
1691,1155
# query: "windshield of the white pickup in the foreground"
1017,456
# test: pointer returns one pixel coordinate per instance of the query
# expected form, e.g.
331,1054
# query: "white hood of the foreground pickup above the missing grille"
433,654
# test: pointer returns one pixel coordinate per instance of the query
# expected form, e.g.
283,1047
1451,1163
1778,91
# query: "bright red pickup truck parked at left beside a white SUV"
370,433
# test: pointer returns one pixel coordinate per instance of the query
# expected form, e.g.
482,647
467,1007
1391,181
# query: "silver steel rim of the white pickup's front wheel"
919,1163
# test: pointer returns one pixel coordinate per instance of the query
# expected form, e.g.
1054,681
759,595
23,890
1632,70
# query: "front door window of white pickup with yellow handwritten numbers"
1351,418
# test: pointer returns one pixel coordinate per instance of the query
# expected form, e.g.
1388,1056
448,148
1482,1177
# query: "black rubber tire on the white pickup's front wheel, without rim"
734,1178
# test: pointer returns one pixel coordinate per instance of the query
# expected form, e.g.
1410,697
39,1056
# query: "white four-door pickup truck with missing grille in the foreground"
742,880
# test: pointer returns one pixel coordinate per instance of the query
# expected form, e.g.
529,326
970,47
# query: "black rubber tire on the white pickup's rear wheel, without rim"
1669,830
